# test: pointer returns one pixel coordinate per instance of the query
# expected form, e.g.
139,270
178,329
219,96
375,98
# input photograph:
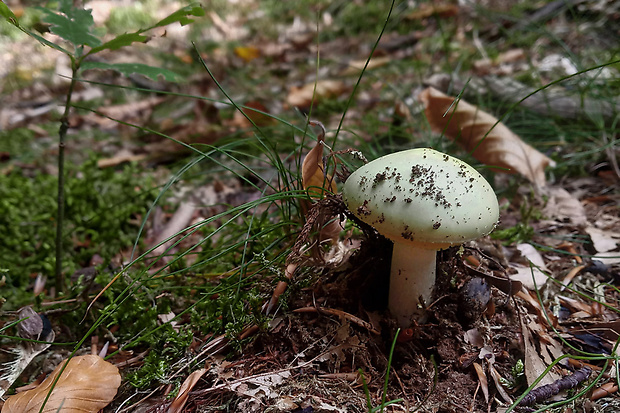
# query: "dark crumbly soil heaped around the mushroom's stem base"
432,364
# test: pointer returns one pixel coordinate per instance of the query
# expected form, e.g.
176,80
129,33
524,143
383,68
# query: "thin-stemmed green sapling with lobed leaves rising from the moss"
77,28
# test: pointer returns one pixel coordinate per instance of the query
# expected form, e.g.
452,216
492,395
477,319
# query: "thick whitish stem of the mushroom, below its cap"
412,280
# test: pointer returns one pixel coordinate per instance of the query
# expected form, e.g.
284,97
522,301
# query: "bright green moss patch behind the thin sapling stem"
101,211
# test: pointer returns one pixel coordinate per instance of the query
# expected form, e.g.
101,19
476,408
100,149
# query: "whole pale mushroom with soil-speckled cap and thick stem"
423,201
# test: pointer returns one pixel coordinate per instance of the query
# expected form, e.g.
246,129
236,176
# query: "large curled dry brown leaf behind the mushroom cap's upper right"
471,127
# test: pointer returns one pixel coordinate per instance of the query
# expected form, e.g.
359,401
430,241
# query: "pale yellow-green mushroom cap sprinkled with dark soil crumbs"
423,197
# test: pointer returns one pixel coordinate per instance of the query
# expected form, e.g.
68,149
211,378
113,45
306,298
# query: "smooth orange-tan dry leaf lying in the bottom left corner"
87,384
